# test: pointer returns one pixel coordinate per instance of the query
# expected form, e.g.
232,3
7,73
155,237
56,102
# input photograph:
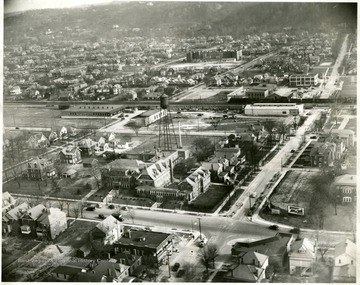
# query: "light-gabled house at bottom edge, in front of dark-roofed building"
251,268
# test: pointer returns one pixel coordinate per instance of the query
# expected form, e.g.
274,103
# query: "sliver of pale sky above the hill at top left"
23,5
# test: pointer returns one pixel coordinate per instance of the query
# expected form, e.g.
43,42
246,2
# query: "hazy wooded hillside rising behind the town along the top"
190,18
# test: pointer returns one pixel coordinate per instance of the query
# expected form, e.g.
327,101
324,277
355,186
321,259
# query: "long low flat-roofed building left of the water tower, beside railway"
100,110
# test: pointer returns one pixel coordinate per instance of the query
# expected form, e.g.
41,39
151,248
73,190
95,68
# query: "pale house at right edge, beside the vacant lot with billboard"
345,187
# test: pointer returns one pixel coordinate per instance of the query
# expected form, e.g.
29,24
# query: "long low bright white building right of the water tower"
274,109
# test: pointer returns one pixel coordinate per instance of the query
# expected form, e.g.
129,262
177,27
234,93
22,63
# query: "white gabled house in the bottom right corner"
344,269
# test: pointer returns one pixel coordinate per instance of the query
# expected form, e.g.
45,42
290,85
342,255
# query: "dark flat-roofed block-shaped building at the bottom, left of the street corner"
145,243
